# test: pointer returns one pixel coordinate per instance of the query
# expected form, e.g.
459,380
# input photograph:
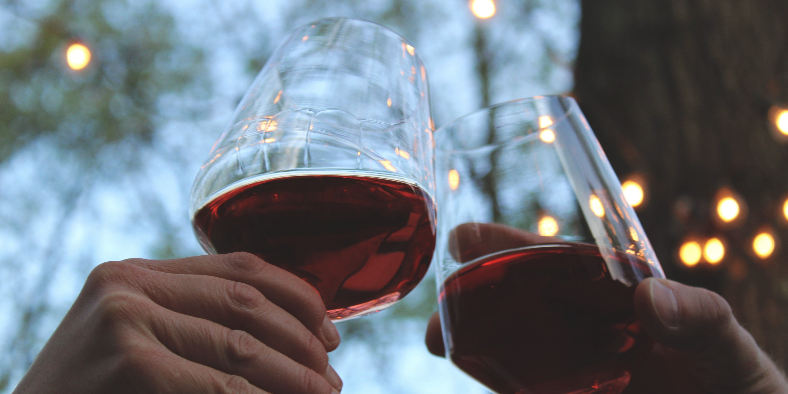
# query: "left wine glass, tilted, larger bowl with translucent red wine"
326,168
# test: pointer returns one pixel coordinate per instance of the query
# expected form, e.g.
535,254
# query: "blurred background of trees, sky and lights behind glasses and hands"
108,108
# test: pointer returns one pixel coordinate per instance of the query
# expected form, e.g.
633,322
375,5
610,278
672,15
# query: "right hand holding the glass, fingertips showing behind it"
701,348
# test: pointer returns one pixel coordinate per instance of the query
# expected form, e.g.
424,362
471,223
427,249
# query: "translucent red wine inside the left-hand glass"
362,242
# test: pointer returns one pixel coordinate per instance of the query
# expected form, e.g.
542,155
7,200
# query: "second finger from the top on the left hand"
238,306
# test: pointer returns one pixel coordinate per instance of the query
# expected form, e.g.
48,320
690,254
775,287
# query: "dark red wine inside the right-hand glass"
543,320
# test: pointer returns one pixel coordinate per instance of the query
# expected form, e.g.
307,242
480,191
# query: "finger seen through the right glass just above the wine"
470,241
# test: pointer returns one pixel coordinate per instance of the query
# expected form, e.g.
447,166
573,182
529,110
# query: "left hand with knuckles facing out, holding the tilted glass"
209,324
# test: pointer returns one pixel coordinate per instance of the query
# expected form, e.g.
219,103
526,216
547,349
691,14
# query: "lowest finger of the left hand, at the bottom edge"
157,370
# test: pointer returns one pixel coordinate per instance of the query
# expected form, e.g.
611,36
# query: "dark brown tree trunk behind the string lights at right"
679,91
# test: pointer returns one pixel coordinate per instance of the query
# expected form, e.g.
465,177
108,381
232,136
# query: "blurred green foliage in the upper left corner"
137,58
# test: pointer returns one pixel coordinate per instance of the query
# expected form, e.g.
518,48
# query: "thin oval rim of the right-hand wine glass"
493,145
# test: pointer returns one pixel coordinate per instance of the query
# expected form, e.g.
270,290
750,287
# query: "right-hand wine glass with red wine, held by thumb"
538,252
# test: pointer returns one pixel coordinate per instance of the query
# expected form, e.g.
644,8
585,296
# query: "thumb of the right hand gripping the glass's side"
700,324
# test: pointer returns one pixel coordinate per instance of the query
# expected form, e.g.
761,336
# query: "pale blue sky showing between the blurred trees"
106,223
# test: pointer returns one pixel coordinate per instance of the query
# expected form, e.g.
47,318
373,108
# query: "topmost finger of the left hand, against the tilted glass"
281,287
